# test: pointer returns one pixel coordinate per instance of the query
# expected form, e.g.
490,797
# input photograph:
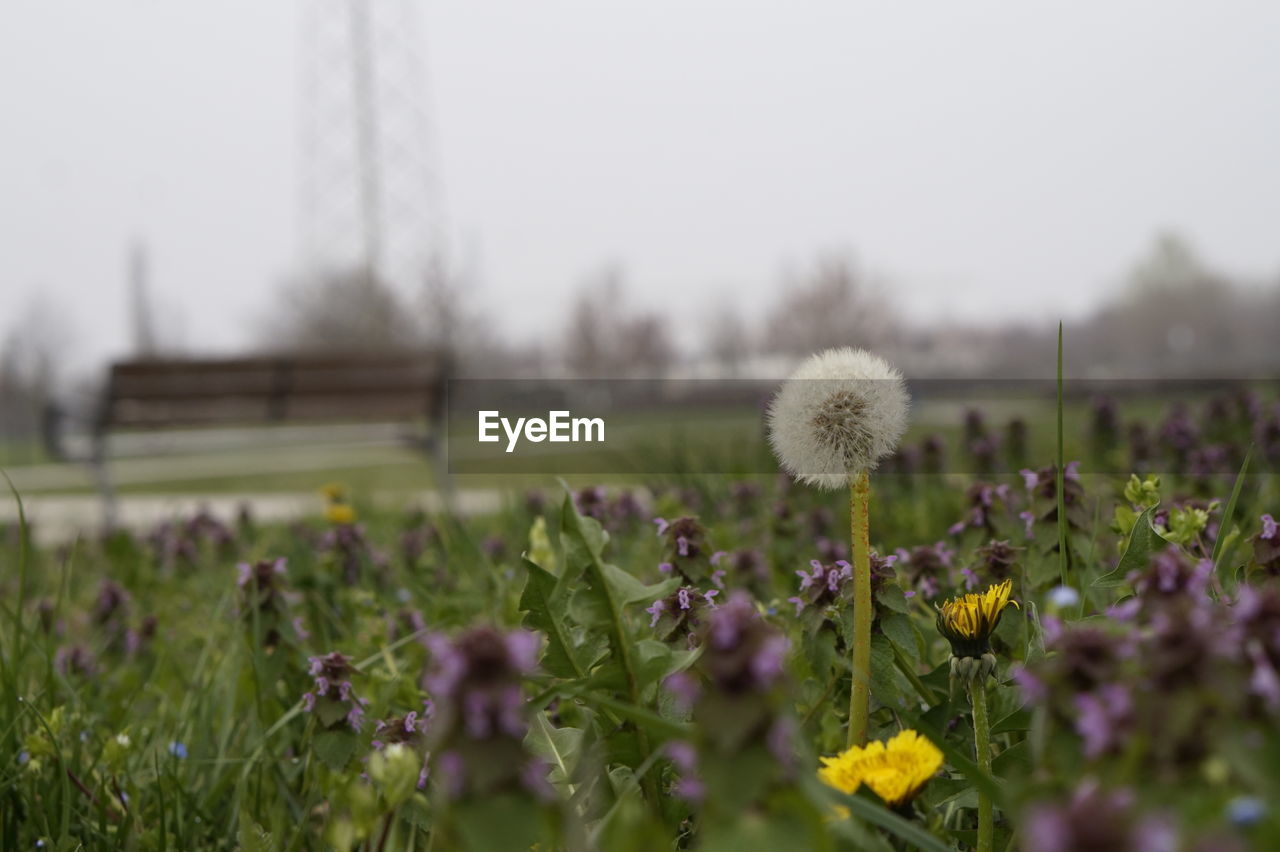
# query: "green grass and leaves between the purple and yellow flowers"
88,758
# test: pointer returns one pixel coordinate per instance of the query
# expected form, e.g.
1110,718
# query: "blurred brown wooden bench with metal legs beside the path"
164,393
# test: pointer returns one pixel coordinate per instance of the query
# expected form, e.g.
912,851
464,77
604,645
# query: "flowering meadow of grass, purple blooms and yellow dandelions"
1064,654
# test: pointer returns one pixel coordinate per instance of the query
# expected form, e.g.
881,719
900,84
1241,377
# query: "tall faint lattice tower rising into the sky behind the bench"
371,203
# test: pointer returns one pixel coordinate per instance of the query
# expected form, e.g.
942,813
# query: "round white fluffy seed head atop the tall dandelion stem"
839,415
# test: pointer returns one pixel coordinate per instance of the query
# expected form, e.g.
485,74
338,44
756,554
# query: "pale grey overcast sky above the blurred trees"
985,159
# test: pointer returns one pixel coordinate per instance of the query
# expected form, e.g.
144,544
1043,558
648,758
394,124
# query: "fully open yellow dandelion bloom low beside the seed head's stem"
895,771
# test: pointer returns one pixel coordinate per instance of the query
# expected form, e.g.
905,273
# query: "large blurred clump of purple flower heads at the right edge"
1149,667
